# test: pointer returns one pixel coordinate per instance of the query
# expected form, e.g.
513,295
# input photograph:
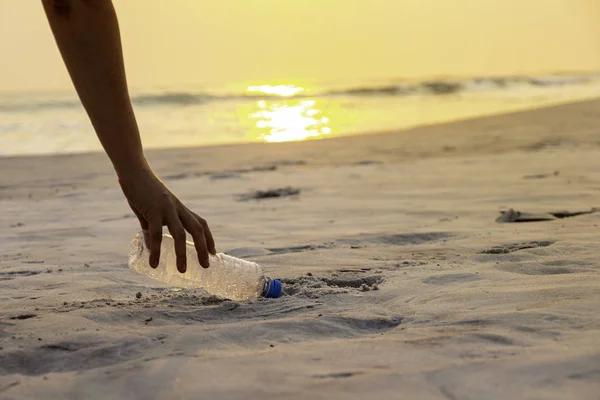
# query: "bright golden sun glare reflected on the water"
286,119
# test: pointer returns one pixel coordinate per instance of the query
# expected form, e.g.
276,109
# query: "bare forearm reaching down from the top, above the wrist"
87,34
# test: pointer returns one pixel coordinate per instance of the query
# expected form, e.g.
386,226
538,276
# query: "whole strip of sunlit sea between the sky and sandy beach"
50,123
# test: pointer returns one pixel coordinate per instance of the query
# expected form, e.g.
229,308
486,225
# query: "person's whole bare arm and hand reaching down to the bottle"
88,37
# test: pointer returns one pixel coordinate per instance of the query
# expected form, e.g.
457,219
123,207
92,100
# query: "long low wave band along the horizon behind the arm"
441,87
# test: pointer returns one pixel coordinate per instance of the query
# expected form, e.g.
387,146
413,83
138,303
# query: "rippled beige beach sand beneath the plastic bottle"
399,282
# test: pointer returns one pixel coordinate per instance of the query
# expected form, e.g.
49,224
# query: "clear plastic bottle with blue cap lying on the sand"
227,276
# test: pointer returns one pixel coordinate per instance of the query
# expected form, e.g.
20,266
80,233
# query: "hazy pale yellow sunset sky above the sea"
199,42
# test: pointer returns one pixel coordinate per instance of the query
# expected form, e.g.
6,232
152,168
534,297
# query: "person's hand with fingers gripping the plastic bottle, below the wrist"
155,206
